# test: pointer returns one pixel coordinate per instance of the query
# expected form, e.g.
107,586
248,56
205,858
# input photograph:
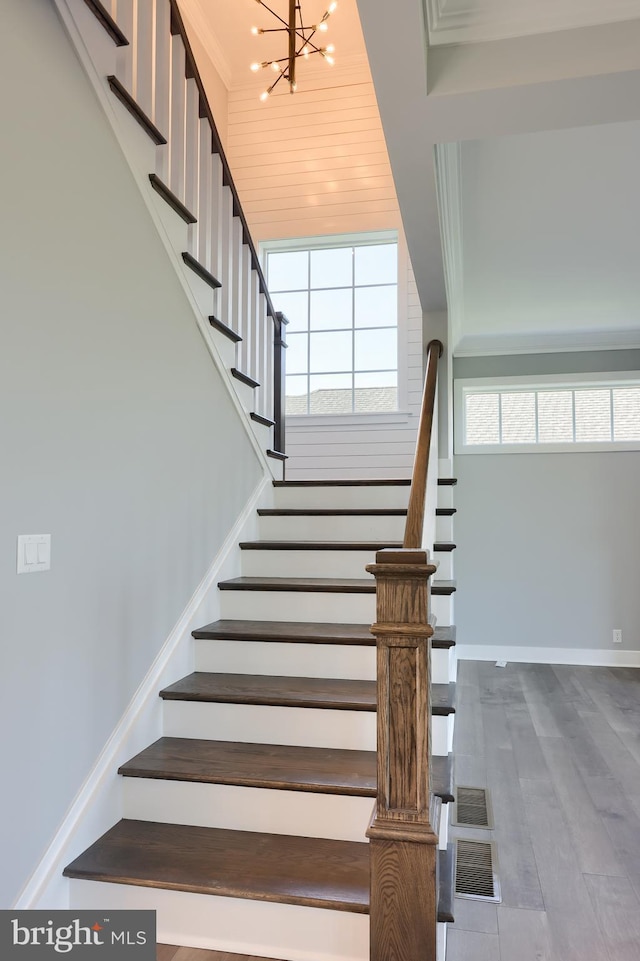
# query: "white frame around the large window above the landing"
366,238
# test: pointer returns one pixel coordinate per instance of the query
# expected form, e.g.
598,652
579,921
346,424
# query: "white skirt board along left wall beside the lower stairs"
99,804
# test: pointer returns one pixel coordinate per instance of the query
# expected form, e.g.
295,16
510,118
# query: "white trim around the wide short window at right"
611,379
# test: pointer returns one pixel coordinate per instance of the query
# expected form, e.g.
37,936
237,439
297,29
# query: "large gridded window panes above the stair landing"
341,300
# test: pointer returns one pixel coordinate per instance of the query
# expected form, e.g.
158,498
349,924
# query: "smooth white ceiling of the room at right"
551,240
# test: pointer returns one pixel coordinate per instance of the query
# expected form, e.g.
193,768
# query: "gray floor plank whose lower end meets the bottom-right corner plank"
593,848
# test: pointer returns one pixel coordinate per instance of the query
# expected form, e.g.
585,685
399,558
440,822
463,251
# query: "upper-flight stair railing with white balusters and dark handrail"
158,80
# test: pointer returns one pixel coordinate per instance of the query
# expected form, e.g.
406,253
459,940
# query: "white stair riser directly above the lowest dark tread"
247,808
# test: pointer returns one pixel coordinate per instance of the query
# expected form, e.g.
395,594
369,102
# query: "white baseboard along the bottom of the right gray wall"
593,657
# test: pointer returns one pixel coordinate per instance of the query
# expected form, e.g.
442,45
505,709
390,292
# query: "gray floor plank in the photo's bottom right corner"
617,909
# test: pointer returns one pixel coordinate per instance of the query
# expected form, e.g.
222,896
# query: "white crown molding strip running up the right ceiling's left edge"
448,167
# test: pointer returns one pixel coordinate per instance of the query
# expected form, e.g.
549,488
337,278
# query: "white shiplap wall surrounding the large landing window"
316,164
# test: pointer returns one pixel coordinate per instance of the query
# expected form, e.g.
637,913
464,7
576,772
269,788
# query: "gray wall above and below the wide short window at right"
548,544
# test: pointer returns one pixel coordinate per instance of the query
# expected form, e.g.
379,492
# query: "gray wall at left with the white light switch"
116,436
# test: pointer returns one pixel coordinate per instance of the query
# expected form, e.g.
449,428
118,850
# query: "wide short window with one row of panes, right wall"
592,412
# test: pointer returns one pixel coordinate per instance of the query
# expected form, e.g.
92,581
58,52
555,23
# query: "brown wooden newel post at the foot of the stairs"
404,844
